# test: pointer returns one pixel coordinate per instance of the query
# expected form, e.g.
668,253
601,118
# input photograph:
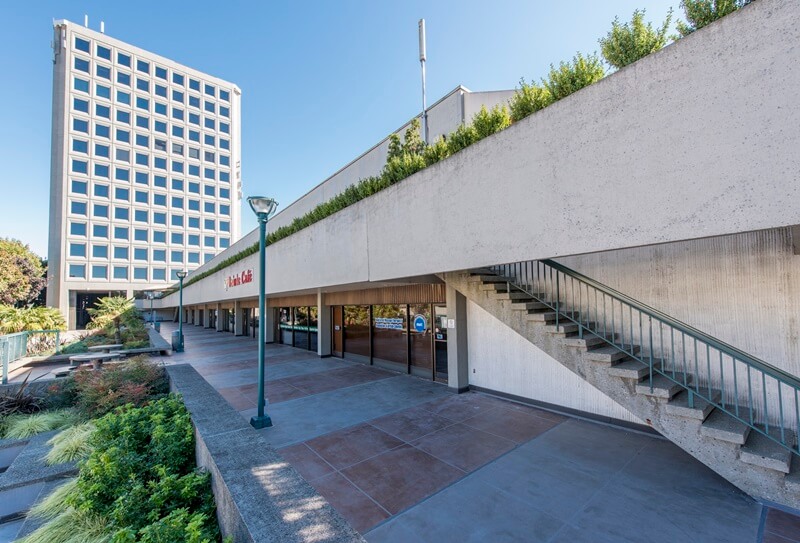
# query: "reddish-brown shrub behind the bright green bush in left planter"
132,382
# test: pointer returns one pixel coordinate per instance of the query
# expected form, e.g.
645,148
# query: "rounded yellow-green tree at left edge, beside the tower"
21,273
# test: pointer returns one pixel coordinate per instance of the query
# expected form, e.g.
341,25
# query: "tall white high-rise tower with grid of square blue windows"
146,167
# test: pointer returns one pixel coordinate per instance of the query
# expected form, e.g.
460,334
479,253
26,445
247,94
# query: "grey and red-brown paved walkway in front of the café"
403,459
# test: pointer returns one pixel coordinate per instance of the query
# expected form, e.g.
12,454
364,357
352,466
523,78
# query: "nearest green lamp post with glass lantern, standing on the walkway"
263,207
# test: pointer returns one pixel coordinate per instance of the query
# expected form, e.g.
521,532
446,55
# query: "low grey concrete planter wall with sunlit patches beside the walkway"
260,497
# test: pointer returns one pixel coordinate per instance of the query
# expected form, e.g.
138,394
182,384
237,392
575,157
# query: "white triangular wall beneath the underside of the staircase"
502,360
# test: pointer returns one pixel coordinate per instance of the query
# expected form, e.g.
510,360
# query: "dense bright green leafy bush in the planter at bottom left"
138,483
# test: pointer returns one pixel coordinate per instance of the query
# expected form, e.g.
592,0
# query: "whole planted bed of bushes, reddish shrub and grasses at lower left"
134,447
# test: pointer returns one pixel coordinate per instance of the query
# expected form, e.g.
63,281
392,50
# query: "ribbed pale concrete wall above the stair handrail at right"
743,289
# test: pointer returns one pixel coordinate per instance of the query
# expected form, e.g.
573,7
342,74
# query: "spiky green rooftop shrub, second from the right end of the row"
626,43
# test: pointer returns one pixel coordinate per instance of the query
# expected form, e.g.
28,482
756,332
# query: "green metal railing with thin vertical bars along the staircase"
765,398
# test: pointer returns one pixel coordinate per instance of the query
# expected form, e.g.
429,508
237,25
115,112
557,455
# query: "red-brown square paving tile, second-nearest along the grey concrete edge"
402,477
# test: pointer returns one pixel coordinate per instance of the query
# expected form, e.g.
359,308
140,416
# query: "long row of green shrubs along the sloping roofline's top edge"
624,44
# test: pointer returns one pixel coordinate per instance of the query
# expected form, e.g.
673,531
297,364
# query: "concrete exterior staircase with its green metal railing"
736,414
